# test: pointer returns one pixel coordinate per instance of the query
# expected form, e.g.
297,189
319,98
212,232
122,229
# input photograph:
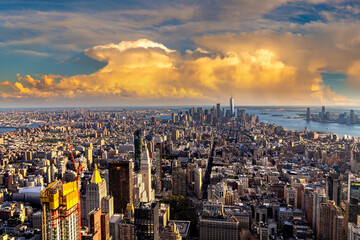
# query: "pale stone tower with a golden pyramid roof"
95,192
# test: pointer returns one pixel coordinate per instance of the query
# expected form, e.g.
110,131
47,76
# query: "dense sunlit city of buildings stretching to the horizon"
196,173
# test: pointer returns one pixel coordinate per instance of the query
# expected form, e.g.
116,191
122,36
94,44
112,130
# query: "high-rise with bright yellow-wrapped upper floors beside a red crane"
60,212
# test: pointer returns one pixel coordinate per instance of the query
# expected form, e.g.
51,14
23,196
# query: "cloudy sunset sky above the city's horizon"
106,53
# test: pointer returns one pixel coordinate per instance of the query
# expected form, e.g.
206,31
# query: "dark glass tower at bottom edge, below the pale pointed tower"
147,221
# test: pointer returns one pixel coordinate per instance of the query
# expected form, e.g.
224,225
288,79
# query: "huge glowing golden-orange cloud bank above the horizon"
252,67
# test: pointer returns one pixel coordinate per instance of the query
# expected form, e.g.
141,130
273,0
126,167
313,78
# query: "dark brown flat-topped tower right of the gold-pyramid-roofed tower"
121,183
